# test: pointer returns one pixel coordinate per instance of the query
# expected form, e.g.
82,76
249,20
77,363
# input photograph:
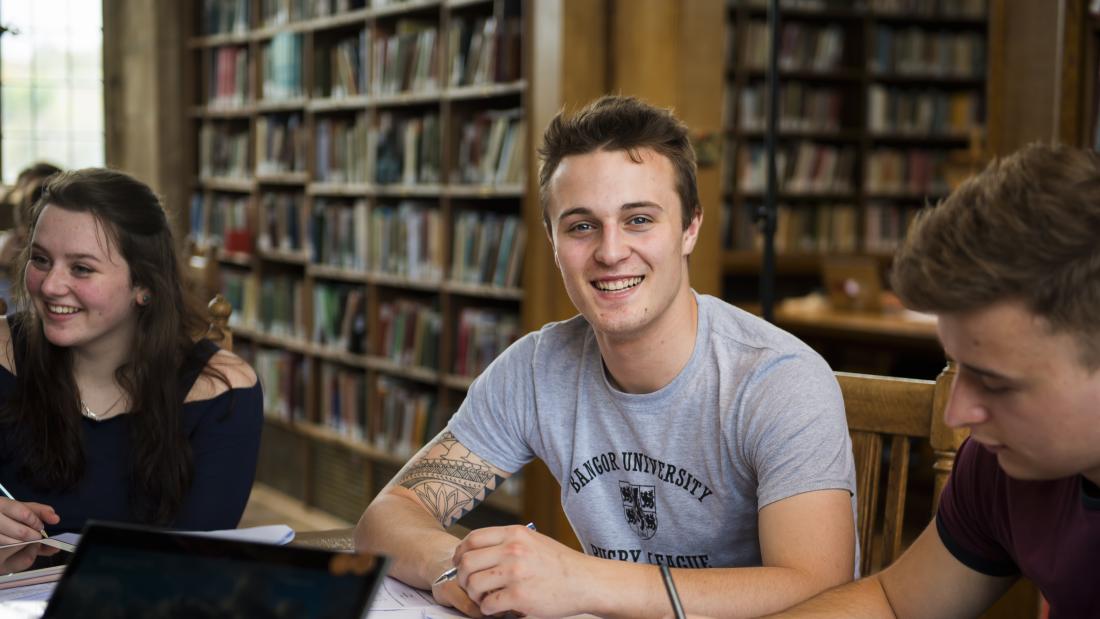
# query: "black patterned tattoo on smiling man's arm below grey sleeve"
450,481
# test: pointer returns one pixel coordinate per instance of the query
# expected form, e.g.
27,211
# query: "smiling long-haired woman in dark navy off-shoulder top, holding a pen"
111,407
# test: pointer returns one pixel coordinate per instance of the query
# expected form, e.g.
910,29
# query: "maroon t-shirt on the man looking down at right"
1048,532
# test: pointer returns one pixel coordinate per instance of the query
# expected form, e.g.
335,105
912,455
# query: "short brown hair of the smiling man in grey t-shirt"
621,124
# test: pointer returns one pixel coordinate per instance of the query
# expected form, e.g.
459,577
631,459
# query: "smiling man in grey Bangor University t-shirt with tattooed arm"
684,432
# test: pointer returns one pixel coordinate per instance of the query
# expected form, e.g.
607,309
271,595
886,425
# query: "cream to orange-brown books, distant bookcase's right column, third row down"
925,113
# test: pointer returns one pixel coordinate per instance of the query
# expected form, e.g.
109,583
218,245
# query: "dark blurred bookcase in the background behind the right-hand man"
877,100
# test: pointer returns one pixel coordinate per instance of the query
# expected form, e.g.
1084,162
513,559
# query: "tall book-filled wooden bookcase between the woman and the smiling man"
362,181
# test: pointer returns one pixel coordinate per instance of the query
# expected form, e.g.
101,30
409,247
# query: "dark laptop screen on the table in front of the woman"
123,571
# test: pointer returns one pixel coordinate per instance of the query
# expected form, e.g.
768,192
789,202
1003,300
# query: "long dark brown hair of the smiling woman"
46,410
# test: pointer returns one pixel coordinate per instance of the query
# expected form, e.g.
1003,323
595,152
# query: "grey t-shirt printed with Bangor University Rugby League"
676,477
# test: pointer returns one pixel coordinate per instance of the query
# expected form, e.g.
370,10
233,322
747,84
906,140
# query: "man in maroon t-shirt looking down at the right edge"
1011,264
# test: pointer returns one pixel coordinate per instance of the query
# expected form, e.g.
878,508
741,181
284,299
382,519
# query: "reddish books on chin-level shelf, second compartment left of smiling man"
411,333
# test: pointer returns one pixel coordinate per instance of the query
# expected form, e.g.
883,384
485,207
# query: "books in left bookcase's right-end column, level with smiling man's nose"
488,249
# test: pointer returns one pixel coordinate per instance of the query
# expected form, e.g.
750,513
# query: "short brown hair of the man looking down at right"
1028,229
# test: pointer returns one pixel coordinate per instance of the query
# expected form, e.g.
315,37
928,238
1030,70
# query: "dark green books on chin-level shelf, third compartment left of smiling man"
340,317
